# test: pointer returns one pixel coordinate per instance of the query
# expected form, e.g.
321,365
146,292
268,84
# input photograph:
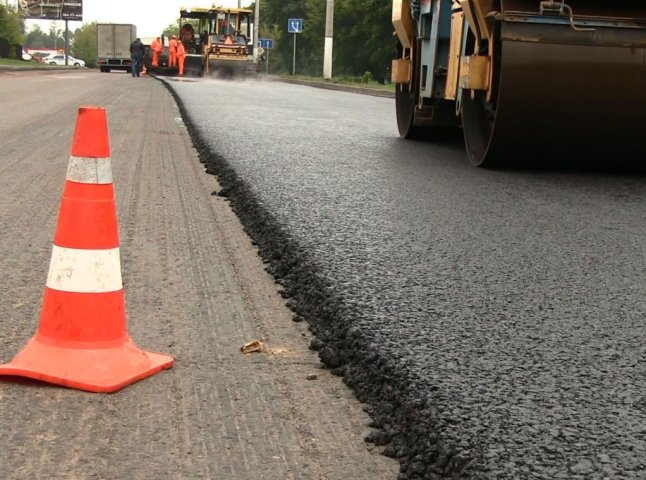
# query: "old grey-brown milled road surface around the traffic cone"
195,288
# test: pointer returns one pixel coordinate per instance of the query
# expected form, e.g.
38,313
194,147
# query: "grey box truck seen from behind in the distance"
113,46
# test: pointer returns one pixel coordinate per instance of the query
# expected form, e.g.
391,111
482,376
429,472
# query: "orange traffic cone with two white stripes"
82,341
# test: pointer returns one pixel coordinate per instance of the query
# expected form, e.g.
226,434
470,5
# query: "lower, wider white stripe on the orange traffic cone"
85,271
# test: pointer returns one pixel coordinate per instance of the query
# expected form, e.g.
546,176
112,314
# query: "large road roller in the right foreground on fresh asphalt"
523,79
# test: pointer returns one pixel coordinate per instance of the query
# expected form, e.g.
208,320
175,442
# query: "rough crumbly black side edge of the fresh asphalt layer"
403,421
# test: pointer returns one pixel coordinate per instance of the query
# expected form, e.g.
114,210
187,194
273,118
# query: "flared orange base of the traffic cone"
102,370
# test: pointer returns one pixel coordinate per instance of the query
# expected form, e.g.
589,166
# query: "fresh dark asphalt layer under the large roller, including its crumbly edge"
494,320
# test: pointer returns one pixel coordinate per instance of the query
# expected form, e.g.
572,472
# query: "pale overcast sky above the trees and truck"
150,16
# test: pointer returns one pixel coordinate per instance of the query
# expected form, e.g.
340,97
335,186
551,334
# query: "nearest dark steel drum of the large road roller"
561,94
